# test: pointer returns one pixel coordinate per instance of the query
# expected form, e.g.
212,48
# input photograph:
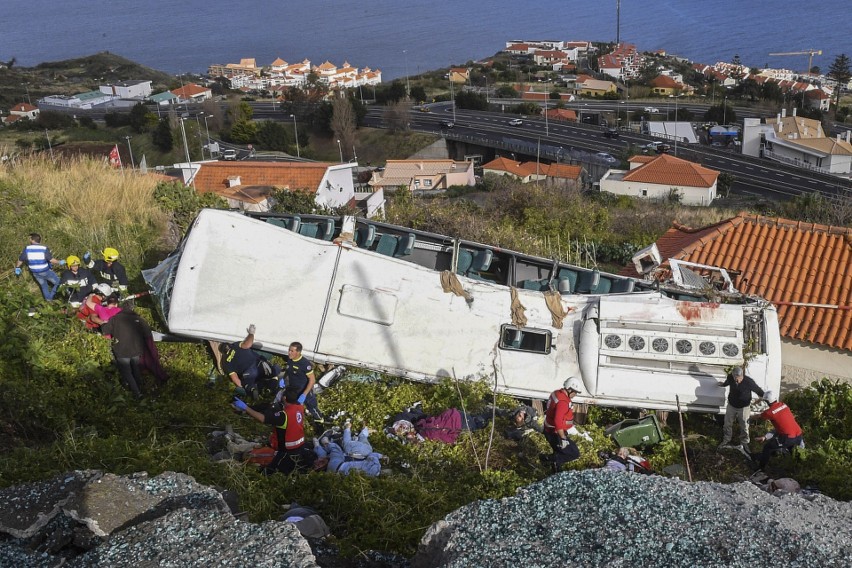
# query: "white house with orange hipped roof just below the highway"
658,177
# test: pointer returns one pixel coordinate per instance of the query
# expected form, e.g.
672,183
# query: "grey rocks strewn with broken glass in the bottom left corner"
93,519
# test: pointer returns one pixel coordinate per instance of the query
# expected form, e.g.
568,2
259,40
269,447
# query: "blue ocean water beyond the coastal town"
403,37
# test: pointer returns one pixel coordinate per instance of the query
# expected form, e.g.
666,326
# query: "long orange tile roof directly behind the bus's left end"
213,176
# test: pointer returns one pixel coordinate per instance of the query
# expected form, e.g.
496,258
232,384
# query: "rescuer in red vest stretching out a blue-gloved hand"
289,423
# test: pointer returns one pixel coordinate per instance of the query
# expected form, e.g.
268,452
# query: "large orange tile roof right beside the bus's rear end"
784,261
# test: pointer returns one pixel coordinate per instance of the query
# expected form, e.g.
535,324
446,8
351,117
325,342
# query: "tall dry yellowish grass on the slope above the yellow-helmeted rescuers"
78,204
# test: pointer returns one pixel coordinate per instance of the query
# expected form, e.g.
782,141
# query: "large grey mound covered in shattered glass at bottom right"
606,518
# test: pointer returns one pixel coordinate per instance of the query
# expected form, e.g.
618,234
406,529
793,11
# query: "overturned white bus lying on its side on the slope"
426,306
